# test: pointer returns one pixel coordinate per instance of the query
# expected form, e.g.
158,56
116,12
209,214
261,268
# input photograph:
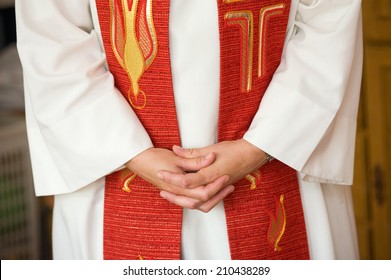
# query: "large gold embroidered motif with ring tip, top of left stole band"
134,42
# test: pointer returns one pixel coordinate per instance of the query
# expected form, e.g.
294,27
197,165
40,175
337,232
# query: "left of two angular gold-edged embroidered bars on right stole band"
244,19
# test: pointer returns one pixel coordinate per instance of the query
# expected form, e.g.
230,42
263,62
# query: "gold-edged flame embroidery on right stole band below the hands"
277,225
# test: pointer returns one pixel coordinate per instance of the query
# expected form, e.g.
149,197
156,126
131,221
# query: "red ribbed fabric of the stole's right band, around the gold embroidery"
247,210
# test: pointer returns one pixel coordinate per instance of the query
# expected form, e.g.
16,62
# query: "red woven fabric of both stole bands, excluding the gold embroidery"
141,225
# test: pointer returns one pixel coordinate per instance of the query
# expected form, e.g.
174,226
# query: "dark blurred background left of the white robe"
24,218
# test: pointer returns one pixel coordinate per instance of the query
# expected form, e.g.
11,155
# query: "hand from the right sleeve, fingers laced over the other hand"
233,161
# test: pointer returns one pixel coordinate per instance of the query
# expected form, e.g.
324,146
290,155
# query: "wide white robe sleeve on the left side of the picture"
80,127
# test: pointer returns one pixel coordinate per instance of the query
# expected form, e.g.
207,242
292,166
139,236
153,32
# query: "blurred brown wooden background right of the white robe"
372,182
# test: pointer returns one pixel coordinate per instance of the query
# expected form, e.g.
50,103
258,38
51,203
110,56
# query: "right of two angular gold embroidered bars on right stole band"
265,14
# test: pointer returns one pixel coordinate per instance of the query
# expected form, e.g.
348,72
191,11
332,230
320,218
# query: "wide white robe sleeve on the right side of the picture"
307,118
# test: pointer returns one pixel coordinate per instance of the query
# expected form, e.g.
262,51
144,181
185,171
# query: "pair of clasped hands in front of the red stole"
197,178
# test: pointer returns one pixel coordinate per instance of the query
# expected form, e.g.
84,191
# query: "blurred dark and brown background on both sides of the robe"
25,221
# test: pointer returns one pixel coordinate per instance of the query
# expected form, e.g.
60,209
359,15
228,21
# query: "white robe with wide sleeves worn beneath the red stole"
80,128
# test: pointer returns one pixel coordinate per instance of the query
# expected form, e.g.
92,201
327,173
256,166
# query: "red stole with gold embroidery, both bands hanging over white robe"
264,214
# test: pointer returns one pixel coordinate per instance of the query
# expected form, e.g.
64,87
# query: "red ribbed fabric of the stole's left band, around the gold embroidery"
140,224
